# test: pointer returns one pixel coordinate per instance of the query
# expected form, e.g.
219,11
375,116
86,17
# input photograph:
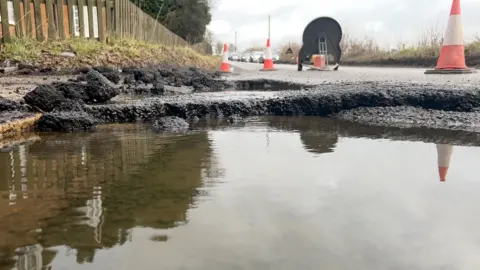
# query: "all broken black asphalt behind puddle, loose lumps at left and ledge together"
416,104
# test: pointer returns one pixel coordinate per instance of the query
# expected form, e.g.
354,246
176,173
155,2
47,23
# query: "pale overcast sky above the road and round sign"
390,22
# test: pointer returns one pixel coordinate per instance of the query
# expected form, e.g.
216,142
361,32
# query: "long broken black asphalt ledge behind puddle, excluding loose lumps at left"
324,101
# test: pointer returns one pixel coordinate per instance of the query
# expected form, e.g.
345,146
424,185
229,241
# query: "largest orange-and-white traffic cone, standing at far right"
452,54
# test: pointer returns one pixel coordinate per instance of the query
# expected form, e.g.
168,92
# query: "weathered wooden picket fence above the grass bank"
99,19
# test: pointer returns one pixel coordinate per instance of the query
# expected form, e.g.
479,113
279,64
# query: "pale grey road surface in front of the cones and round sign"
351,74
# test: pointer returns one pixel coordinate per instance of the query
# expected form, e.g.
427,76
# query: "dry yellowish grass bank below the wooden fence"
115,53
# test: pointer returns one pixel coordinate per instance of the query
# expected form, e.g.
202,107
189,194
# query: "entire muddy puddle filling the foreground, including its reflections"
273,194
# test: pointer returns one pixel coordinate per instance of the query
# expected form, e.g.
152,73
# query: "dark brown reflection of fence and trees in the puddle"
88,190
